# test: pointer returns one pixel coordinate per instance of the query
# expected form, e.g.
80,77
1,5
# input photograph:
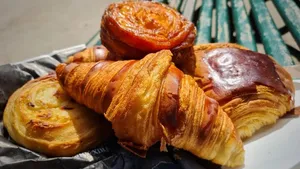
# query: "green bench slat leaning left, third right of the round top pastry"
242,25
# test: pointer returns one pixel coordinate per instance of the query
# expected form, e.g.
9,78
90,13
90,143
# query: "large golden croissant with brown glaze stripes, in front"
150,100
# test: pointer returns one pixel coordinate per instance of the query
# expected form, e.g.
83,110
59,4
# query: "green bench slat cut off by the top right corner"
290,13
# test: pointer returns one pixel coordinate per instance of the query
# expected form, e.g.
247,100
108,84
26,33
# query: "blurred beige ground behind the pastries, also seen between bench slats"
31,28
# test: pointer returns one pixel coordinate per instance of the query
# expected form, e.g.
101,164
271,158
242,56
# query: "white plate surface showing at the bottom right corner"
276,146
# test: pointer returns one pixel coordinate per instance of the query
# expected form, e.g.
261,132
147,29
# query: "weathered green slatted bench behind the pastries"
234,25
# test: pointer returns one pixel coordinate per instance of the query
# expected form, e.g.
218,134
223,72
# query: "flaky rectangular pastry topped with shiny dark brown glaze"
252,88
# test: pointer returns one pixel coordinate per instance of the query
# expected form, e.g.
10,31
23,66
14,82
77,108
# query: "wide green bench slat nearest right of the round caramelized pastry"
204,22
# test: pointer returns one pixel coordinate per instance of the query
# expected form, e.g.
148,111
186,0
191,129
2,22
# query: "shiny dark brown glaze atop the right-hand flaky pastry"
235,70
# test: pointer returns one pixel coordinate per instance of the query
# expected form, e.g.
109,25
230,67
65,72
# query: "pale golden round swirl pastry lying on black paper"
41,117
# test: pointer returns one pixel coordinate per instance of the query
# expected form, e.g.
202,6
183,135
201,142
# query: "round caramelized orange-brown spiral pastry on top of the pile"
132,29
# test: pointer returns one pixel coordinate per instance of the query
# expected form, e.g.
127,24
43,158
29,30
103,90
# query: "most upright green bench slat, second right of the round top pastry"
223,30
